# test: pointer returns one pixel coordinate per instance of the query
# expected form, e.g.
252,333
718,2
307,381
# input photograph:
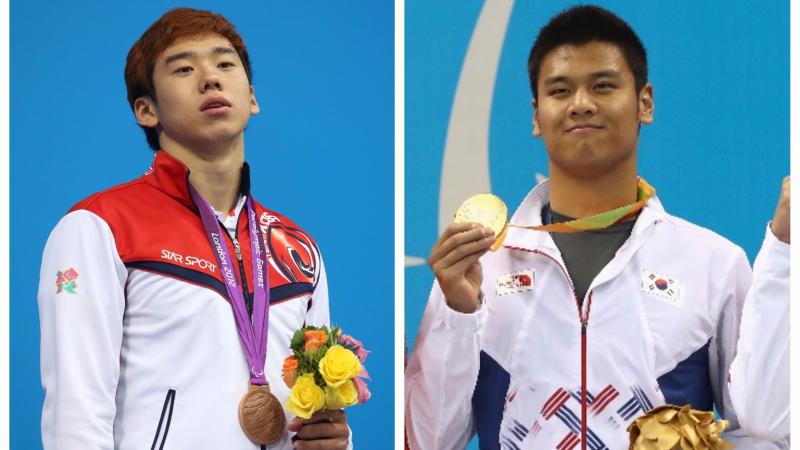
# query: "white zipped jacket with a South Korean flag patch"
531,369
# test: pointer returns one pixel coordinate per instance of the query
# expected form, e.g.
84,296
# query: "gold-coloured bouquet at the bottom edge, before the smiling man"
670,427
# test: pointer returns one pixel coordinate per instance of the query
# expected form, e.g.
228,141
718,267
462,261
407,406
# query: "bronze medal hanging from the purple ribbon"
261,415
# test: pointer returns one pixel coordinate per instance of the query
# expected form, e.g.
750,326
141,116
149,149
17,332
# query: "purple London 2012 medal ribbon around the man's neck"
252,335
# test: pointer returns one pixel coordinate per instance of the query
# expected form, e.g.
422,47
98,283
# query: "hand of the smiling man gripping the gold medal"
454,260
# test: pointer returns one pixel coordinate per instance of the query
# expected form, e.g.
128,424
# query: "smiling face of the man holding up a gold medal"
588,111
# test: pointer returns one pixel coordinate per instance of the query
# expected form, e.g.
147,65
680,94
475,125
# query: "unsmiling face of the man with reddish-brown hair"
202,92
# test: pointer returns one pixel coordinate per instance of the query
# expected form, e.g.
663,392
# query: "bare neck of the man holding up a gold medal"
578,196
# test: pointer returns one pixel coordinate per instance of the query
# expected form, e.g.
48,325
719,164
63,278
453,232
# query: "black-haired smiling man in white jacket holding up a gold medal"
560,340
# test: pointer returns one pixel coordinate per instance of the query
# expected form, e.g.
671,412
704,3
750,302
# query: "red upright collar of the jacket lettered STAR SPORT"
170,176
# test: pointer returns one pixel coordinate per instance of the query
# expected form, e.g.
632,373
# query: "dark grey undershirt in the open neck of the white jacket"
586,253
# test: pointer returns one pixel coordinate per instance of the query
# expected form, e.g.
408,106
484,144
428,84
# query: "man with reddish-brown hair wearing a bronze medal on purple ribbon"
140,347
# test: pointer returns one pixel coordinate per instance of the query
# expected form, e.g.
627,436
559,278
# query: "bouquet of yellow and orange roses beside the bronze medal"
324,371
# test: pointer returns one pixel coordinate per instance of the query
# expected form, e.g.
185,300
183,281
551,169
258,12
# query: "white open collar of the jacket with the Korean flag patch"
529,213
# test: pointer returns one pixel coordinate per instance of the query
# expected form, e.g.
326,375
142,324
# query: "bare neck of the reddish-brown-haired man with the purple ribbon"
216,173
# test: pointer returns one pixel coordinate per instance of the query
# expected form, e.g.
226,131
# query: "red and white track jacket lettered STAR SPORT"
139,347
